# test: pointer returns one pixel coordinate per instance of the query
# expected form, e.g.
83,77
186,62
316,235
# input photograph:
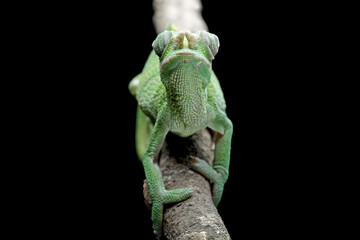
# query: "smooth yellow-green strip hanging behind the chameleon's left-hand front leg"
143,131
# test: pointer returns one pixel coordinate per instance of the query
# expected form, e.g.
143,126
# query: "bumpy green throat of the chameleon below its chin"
186,93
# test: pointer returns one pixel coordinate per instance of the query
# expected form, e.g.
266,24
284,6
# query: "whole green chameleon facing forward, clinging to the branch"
177,91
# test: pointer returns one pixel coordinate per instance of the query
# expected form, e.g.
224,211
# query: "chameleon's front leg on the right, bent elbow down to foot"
218,174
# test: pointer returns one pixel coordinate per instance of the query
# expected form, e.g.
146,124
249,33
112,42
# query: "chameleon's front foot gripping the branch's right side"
217,175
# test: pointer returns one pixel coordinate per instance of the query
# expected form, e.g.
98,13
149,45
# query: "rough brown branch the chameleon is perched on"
196,217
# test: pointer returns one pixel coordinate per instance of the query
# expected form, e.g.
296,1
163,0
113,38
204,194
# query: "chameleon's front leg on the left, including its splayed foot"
159,195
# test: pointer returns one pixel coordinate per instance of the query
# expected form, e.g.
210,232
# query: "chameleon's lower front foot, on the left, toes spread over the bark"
164,197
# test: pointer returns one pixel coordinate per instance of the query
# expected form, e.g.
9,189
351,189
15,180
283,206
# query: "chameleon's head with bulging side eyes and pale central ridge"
191,52
